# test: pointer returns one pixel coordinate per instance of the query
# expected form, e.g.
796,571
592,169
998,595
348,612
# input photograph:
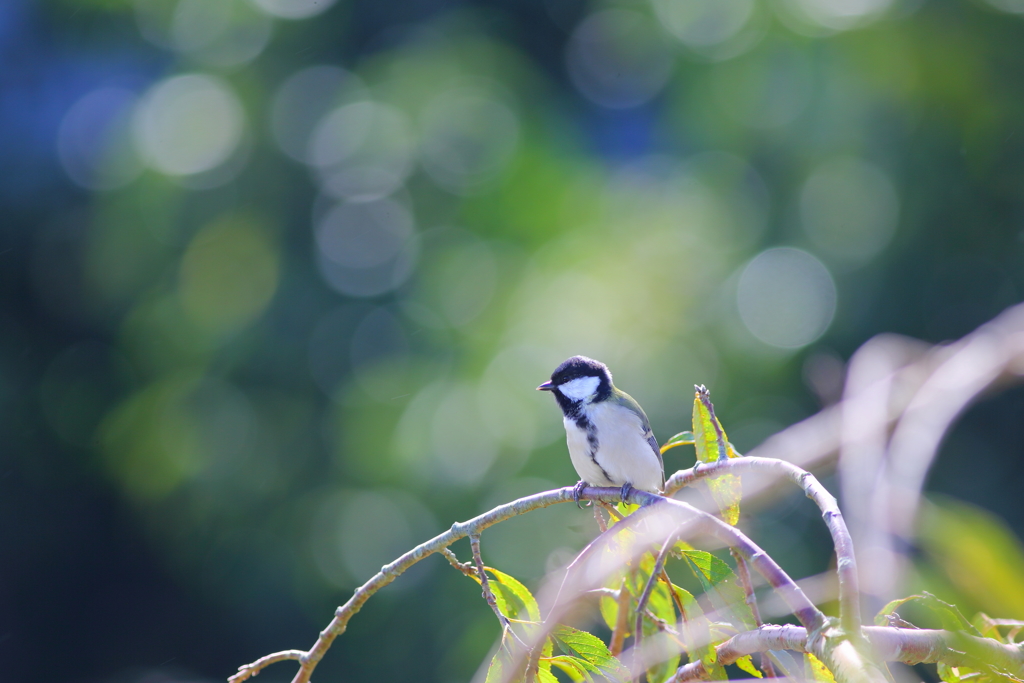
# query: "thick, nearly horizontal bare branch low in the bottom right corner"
889,645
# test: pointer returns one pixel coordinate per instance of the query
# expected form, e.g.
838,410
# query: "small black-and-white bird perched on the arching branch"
610,438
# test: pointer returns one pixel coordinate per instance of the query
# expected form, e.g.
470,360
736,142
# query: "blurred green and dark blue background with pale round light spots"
278,279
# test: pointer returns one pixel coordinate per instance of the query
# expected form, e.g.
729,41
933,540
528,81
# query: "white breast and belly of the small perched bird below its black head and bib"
623,452
